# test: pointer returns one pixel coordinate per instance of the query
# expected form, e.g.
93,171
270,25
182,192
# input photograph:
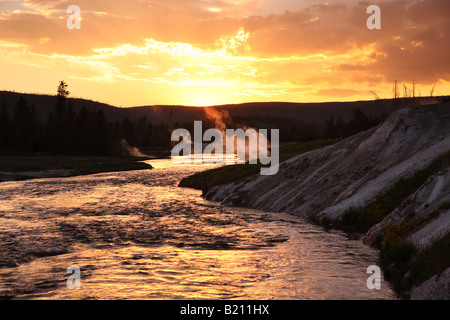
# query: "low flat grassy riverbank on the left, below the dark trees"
14,168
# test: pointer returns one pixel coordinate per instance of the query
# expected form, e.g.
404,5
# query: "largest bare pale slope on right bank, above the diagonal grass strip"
330,180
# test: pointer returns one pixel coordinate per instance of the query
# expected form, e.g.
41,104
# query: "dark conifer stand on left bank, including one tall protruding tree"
66,132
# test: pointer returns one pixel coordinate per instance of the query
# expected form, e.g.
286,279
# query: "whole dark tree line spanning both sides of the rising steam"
66,132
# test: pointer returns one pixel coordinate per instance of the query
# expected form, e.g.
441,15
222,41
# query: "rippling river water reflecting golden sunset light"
136,235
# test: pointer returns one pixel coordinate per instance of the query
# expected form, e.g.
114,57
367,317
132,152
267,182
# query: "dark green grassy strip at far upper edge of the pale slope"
207,179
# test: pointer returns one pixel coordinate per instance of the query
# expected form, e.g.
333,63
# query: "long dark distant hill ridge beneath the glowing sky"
316,113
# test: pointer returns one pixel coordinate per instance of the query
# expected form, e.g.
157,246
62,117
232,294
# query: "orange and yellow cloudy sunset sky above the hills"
205,52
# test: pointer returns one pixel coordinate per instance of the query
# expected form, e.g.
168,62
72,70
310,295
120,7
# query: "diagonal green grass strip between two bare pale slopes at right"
363,218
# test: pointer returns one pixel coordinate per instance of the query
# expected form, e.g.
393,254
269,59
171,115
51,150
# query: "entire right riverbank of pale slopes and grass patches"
390,181
